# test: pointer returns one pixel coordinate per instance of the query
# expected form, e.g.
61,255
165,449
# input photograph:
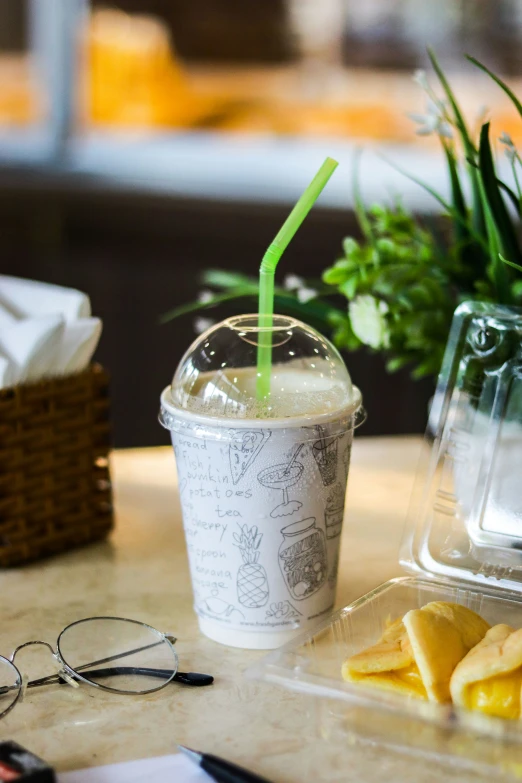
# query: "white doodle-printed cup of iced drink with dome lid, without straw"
262,482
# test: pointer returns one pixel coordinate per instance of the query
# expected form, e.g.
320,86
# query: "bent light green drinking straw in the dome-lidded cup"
267,273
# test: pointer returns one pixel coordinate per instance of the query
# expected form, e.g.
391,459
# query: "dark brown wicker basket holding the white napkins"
55,488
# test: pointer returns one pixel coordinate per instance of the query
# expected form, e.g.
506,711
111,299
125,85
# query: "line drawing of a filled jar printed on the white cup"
302,558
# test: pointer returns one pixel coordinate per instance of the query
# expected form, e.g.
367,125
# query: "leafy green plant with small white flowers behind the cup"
401,282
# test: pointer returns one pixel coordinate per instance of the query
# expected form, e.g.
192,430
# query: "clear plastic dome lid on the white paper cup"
215,381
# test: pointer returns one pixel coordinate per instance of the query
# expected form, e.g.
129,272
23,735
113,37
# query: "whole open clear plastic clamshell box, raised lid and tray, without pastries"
464,545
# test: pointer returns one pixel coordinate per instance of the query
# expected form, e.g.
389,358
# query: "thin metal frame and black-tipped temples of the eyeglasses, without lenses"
70,675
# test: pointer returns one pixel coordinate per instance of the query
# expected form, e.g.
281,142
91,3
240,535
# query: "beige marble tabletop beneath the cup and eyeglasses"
141,572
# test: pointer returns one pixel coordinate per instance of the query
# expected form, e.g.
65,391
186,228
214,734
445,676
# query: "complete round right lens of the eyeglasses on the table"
118,654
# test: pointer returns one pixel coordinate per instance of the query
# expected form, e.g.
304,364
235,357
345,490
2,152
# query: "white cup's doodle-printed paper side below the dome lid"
263,513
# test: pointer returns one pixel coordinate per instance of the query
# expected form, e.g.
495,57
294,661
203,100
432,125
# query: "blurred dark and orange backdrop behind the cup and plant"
144,141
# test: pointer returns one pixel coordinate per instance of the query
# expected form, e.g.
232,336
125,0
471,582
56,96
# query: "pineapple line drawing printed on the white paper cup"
252,581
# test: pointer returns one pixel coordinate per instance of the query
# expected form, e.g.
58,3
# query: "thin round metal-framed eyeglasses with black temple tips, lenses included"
86,645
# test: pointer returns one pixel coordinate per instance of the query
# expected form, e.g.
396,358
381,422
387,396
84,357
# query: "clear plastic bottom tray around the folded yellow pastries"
312,665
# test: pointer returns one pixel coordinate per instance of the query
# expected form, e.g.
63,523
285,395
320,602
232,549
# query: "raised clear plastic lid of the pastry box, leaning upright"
465,520
